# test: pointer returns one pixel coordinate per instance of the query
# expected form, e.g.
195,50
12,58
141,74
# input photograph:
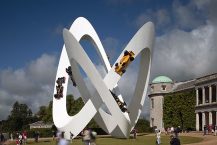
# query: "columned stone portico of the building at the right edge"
206,101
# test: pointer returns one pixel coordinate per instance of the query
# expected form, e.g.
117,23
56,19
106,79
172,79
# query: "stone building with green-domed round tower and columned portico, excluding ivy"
206,99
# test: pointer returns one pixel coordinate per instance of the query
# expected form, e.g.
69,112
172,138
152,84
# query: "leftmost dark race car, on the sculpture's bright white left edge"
59,87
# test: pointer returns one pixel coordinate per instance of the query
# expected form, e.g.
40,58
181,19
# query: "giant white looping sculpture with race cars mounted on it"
116,123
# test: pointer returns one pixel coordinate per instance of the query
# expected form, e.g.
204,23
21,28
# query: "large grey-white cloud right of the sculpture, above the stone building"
184,55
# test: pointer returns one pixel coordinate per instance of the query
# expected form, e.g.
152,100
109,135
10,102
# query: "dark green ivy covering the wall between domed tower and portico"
179,110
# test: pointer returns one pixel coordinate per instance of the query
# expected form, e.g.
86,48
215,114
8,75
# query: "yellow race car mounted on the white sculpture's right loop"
120,67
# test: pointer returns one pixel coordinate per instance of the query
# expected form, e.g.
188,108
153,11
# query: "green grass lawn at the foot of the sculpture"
141,140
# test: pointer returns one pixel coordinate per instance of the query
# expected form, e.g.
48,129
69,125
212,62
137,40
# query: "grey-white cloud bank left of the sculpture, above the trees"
32,84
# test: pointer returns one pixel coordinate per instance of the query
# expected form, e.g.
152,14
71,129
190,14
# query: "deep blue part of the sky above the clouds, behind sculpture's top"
31,28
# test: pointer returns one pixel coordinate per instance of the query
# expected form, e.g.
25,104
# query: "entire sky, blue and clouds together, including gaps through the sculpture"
31,42
